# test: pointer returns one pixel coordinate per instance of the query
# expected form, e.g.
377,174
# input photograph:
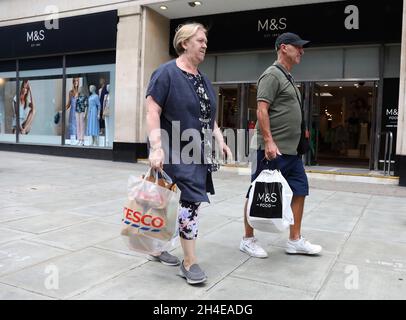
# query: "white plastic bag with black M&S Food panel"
269,202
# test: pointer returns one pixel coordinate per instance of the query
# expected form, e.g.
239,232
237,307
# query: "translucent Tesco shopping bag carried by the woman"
150,216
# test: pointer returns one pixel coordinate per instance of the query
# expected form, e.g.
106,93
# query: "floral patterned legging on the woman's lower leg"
188,219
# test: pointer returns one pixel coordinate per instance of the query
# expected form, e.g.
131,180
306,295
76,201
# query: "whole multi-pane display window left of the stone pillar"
89,106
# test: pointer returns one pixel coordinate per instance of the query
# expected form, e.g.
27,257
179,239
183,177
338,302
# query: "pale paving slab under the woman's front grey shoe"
154,280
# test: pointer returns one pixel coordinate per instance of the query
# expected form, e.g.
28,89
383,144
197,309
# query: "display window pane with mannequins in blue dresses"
90,106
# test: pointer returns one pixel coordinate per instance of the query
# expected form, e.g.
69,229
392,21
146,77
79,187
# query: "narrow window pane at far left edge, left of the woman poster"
7,114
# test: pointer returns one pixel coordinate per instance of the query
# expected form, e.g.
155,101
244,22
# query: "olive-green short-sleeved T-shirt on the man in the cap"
284,112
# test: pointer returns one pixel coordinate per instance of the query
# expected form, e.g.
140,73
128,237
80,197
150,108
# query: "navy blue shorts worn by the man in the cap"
291,168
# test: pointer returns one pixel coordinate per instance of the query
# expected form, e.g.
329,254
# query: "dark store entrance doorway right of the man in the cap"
341,117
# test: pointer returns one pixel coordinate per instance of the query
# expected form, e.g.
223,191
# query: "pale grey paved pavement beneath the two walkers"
60,222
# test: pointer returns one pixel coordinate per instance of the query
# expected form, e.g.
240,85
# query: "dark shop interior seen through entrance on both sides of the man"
341,117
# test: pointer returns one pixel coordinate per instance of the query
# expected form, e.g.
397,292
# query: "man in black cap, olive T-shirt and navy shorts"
278,133
